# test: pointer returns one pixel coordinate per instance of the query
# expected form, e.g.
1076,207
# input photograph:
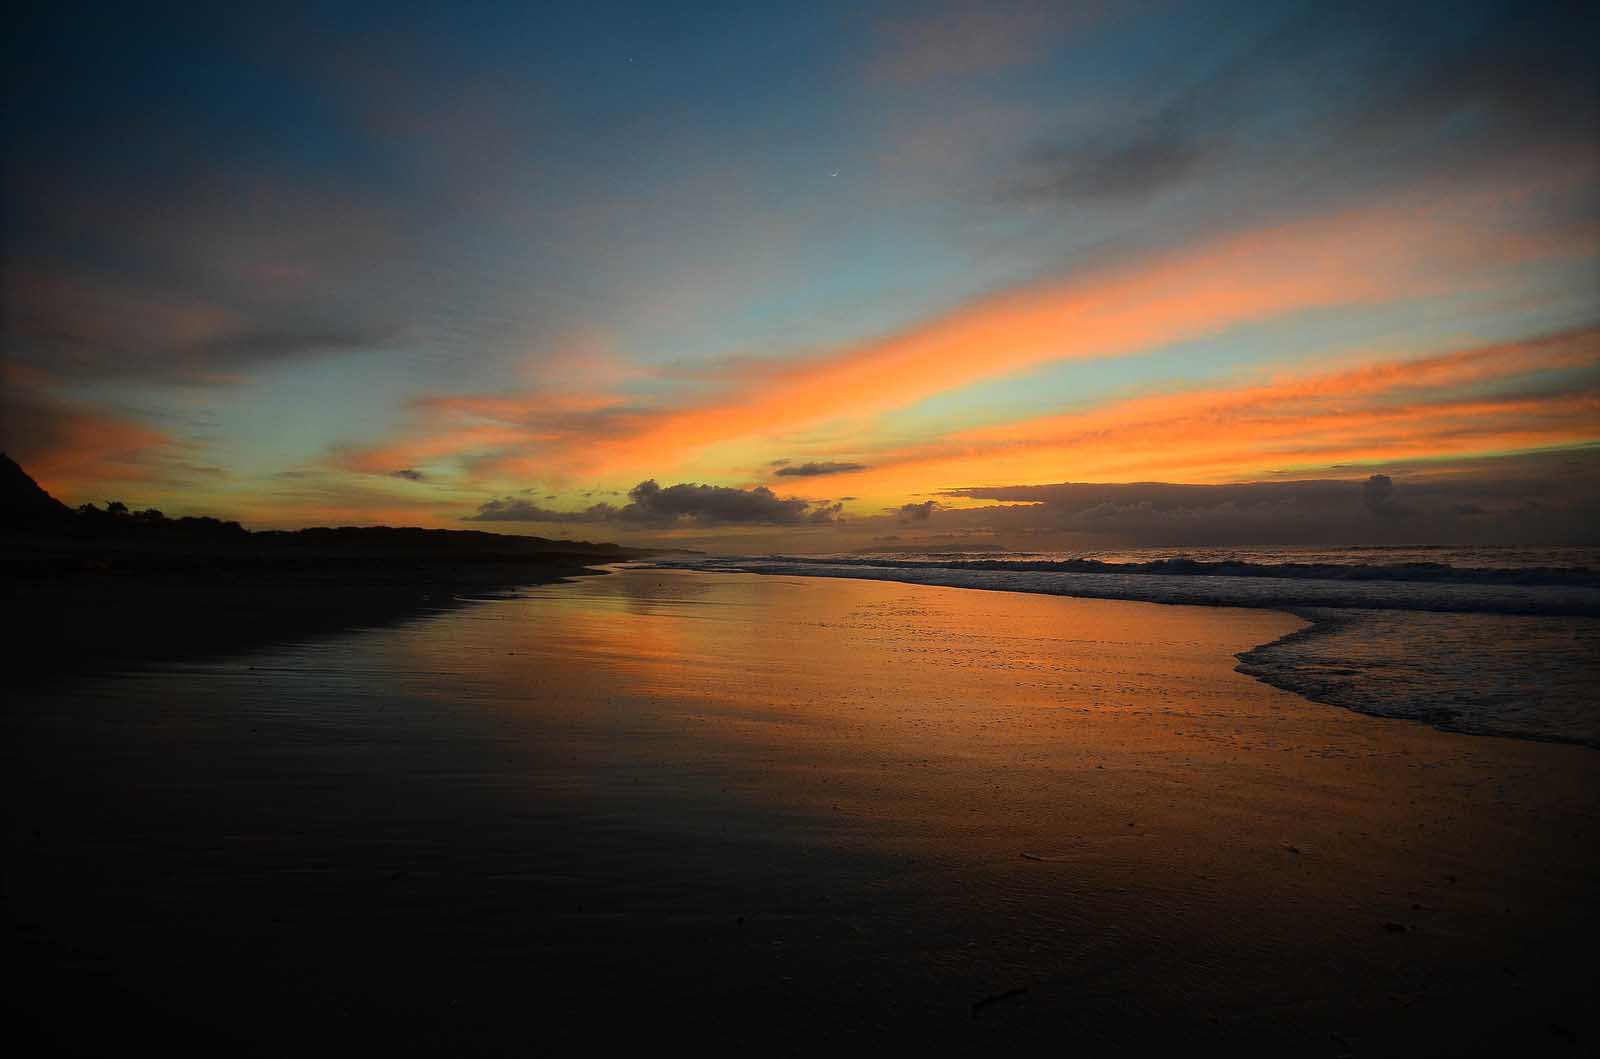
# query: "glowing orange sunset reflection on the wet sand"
962,727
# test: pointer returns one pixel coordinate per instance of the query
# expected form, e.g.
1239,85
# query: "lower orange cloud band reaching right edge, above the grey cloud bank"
1382,412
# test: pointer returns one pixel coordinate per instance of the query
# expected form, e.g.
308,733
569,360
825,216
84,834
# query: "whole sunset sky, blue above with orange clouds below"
814,278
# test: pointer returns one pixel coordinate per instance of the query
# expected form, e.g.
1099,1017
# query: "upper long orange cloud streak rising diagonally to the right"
1378,255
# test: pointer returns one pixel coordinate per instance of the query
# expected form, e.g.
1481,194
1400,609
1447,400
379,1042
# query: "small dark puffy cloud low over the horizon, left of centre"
652,505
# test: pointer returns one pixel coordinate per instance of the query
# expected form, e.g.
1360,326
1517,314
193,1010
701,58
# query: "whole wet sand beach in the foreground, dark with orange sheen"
785,817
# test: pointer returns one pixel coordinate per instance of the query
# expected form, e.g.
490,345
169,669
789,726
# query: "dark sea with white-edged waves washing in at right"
1486,641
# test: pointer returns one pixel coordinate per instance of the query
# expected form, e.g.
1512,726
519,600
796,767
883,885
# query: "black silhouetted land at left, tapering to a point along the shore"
98,588
